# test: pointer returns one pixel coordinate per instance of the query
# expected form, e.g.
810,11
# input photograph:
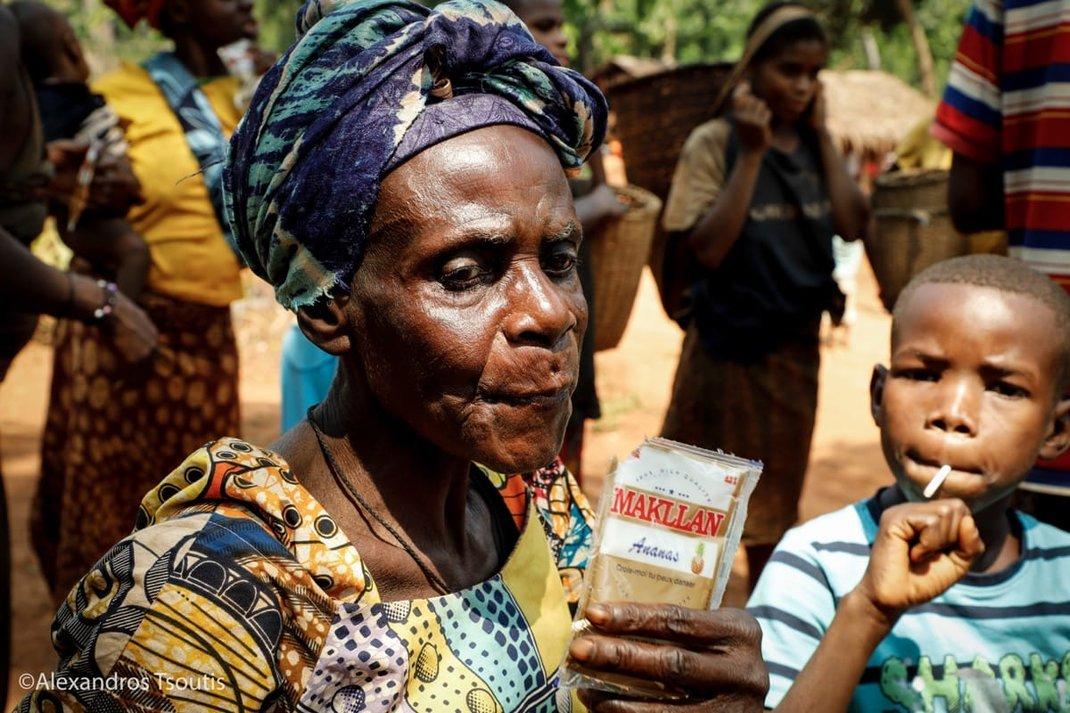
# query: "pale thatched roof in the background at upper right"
873,111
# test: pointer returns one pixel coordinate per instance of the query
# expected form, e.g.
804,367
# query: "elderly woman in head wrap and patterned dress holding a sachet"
399,179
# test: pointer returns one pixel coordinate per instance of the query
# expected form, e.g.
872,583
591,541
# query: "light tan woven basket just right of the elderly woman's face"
618,256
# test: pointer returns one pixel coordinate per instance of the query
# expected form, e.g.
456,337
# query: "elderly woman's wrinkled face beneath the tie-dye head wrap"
467,311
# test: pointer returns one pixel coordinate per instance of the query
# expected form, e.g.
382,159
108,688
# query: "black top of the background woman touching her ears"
777,279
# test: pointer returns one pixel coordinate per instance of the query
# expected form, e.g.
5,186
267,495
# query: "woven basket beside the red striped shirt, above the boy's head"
913,230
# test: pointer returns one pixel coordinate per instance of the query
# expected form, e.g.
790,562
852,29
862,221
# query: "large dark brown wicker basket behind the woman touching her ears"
655,115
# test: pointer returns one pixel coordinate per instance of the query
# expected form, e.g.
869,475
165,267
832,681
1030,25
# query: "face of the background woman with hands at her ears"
788,81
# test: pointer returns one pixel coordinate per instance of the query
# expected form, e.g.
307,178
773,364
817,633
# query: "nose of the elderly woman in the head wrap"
541,311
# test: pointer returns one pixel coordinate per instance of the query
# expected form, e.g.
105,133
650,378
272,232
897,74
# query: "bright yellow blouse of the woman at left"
191,260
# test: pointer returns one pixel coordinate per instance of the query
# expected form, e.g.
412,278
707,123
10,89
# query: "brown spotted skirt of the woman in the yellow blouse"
113,429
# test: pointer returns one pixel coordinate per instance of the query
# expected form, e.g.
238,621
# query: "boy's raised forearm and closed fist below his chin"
921,551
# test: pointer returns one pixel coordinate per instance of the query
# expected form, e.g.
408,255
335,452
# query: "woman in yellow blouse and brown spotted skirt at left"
110,427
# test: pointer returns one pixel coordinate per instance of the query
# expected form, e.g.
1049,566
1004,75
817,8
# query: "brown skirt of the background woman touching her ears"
763,411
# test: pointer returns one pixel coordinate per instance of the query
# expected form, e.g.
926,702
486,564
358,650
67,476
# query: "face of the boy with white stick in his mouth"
972,385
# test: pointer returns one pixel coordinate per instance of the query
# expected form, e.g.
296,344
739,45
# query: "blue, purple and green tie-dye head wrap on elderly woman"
369,85
